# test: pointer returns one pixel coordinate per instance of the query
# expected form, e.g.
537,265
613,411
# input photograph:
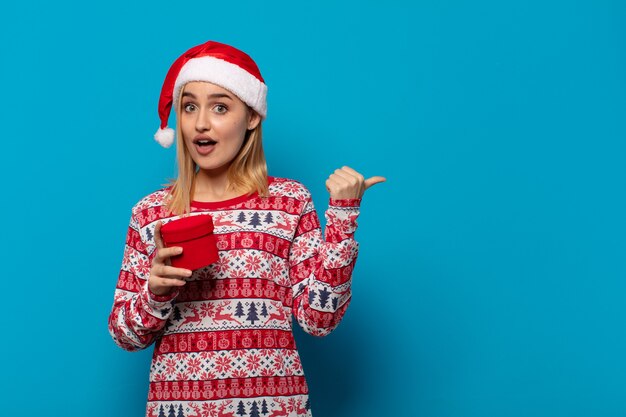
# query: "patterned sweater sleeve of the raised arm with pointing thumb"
320,269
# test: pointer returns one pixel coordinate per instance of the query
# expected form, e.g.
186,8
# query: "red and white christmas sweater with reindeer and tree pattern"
223,343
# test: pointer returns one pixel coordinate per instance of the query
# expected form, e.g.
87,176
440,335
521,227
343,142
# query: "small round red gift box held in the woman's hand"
195,235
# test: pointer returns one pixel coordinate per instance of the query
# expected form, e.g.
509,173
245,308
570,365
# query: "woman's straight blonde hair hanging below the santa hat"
247,171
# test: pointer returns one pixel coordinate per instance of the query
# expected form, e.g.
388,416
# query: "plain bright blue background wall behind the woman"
491,277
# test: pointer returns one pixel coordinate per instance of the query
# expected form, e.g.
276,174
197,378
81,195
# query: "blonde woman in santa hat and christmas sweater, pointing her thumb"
222,333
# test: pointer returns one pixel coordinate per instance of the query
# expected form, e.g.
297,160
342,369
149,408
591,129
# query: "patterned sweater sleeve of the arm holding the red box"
137,315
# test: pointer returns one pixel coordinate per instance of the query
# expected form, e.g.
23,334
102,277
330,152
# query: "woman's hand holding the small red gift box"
164,277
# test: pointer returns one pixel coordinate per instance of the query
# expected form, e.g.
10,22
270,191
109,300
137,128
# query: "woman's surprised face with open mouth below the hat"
214,122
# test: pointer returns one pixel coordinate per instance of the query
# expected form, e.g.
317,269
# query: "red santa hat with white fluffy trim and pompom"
216,63
